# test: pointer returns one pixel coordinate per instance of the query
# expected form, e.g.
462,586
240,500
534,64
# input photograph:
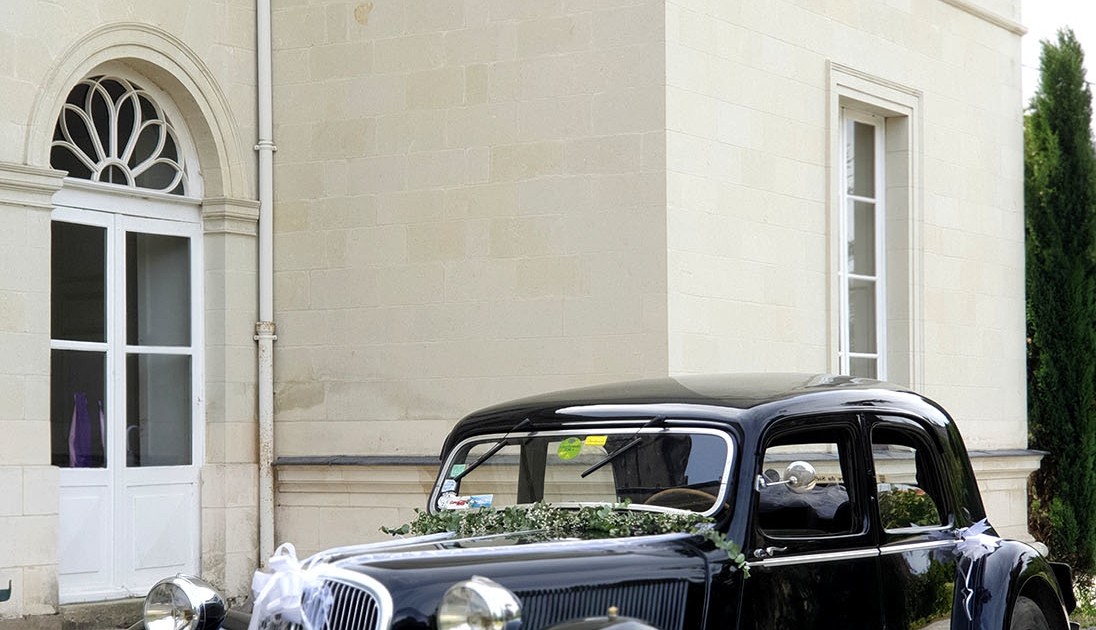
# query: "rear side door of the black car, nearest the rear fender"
921,587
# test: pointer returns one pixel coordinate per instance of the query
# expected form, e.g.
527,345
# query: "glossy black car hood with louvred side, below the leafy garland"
556,580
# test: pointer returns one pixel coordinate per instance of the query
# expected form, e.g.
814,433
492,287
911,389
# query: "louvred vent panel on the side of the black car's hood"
660,604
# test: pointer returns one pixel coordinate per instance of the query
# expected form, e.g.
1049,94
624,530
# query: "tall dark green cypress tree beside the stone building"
1060,215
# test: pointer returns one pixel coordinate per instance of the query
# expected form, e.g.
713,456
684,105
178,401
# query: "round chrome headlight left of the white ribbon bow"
184,603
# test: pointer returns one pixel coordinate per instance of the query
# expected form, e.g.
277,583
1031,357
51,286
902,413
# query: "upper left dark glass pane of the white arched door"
78,256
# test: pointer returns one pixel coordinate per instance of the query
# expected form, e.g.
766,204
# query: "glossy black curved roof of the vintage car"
741,398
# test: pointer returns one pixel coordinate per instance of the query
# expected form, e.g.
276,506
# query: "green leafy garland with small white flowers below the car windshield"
545,522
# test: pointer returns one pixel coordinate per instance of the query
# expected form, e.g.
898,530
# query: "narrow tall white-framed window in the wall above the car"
863,267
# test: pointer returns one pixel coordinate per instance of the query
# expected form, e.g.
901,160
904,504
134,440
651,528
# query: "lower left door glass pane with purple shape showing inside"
78,409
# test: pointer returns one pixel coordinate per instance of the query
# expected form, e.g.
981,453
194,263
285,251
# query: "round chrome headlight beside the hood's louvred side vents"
479,604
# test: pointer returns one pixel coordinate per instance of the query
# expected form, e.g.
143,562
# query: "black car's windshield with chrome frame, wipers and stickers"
658,469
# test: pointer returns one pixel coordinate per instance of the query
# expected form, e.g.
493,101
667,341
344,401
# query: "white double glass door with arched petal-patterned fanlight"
127,334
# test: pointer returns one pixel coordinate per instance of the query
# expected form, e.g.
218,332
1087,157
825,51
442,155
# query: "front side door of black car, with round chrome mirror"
814,560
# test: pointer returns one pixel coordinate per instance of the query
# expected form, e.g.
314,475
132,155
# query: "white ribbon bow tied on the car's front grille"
299,595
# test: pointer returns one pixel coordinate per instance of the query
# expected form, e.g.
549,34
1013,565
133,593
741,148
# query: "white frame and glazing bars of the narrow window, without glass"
846,277
